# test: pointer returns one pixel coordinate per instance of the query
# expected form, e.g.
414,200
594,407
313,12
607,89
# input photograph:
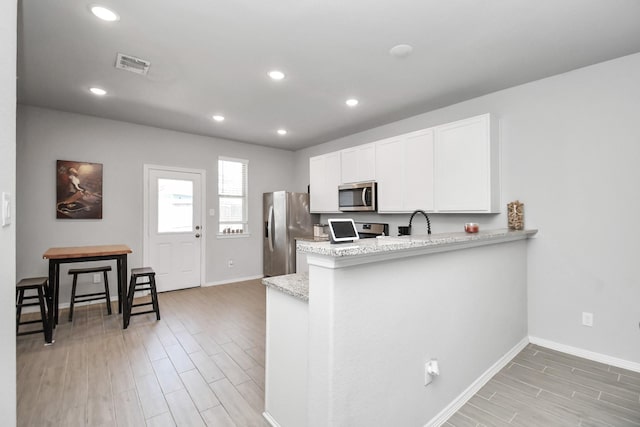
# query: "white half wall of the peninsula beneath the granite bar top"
373,326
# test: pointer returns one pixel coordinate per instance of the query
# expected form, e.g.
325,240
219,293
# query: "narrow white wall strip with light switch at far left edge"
8,19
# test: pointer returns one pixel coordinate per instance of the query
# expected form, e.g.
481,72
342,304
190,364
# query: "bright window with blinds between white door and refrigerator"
232,196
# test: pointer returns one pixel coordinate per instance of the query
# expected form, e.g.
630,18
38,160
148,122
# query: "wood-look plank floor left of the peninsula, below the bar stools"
201,365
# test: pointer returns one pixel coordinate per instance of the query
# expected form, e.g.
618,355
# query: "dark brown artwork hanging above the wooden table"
78,190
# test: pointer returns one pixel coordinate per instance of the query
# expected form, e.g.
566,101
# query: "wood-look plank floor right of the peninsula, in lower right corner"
543,387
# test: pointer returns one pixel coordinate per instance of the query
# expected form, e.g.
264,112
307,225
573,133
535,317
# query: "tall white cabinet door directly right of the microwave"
389,174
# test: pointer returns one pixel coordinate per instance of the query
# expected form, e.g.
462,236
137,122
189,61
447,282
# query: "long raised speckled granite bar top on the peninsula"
408,243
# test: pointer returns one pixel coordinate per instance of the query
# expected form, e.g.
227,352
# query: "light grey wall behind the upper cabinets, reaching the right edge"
570,152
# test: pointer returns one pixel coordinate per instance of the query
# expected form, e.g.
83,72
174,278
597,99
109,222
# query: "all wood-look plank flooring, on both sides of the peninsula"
203,365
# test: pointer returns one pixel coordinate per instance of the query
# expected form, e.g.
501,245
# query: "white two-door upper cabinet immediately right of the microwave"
404,172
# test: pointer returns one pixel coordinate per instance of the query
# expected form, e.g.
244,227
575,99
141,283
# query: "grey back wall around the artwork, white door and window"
45,136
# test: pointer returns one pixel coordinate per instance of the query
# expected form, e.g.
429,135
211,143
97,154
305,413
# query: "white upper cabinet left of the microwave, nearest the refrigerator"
324,179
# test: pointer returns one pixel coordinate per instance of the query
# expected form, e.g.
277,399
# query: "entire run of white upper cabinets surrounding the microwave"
452,168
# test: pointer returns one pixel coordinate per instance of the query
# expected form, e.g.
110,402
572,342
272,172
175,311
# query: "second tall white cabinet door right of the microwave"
418,171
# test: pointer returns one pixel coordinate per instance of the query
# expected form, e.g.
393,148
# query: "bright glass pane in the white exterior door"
175,206
